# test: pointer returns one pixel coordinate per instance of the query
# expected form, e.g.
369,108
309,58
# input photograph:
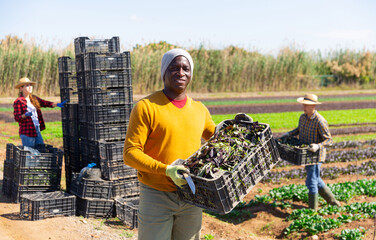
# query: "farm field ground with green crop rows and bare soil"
266,209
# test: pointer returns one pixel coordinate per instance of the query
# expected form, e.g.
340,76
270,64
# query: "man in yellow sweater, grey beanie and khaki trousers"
163,127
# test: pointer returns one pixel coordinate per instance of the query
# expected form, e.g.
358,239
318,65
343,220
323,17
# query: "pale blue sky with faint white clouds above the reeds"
266,26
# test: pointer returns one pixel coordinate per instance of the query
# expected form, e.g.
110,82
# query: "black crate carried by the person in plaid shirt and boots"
290,150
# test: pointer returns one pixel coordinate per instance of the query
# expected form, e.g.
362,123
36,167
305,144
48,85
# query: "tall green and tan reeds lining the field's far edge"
231,69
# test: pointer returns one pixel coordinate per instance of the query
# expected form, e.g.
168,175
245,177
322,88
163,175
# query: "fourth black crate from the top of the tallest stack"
106,97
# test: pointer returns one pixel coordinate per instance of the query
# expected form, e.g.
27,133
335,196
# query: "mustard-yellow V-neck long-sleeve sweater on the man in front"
159,133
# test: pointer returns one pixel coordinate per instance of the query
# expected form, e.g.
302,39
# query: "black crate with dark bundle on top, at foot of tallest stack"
93,189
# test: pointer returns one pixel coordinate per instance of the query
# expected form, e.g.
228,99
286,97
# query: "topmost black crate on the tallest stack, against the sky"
85,45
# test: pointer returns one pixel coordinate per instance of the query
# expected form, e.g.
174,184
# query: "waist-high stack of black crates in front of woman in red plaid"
26,172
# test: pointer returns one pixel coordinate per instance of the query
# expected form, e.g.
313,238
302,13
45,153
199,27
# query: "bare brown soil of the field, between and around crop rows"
263,222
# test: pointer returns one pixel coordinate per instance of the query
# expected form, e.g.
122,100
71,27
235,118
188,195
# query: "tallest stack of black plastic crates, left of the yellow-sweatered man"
105,102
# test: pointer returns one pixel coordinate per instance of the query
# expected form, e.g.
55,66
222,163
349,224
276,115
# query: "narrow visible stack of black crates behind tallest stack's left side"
70,117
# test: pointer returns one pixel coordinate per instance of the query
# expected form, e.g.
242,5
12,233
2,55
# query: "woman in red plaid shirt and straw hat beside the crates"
28,114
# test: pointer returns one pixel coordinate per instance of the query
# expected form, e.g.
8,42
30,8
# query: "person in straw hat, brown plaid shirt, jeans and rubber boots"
313,129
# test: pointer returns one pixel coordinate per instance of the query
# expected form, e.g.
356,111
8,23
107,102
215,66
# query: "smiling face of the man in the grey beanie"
178,75
